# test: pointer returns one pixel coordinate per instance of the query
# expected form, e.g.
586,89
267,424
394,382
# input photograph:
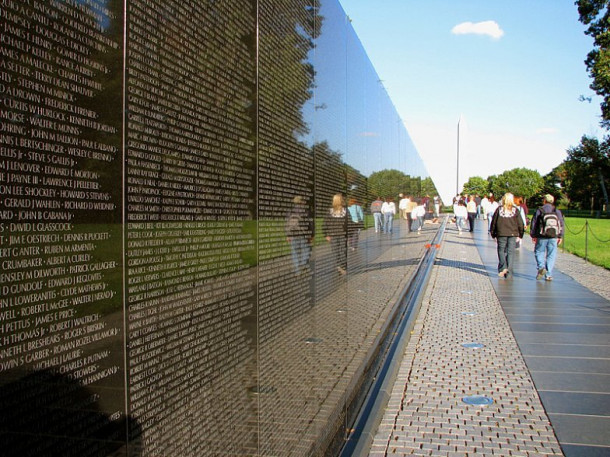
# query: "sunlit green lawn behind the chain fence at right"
590,238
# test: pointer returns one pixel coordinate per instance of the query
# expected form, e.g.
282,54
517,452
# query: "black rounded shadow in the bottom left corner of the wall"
43,413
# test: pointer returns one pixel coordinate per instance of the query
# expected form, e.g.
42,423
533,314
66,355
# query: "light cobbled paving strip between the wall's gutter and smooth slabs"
426,414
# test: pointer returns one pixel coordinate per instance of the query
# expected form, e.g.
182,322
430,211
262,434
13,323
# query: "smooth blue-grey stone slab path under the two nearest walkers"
562,330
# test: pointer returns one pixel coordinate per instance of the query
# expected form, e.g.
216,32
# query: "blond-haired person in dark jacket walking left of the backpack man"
506,228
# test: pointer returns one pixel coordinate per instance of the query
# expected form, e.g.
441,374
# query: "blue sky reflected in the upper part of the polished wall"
351,109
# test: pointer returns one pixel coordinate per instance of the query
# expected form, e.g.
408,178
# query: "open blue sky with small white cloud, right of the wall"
513,69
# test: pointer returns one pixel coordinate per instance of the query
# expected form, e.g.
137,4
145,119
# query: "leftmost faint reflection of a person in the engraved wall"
299,233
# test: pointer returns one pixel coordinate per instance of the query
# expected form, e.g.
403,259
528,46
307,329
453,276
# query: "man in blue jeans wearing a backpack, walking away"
546,232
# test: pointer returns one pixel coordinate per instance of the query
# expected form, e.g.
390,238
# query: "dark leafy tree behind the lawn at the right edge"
588,166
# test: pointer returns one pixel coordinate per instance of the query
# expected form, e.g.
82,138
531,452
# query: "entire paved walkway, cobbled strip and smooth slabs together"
560,330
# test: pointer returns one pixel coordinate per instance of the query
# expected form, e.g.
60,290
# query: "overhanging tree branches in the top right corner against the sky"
596,15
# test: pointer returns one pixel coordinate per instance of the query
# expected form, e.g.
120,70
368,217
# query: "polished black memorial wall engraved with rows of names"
157,299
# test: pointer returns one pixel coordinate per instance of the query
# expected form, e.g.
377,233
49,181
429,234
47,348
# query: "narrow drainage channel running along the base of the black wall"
360,438
